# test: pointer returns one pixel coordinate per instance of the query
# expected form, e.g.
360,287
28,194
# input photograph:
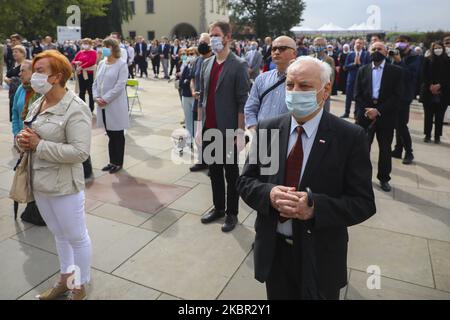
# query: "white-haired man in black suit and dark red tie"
322,186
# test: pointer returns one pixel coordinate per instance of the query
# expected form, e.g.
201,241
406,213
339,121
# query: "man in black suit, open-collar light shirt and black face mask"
378,92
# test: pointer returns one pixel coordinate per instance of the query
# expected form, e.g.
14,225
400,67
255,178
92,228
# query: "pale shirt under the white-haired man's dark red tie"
308,137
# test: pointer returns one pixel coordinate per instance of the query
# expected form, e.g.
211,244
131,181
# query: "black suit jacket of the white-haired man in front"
339,173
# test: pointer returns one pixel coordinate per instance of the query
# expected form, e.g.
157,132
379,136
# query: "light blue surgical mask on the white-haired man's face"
302,103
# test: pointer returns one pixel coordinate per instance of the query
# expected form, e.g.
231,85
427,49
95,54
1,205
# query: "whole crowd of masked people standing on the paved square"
324,181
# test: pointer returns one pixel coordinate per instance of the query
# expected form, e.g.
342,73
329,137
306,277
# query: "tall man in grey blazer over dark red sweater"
224,91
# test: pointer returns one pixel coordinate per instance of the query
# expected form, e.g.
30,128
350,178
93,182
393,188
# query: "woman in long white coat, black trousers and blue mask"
111,96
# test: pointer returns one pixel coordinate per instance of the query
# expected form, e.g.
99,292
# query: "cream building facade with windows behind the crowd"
153,19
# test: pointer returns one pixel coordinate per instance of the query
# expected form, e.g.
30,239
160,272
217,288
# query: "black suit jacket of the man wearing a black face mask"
390,92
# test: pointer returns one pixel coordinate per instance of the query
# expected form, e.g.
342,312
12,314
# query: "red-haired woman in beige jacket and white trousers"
57,133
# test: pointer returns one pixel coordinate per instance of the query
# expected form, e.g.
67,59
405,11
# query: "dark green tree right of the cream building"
267,17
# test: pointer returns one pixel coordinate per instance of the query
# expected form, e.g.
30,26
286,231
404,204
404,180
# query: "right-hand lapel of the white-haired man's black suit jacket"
322,143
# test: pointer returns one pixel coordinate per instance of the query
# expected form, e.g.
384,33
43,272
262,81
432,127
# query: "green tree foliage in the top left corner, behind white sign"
37,18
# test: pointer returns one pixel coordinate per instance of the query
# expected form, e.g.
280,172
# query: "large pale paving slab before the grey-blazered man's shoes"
189,260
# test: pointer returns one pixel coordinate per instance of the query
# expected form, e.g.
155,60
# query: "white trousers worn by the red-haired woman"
66,219
